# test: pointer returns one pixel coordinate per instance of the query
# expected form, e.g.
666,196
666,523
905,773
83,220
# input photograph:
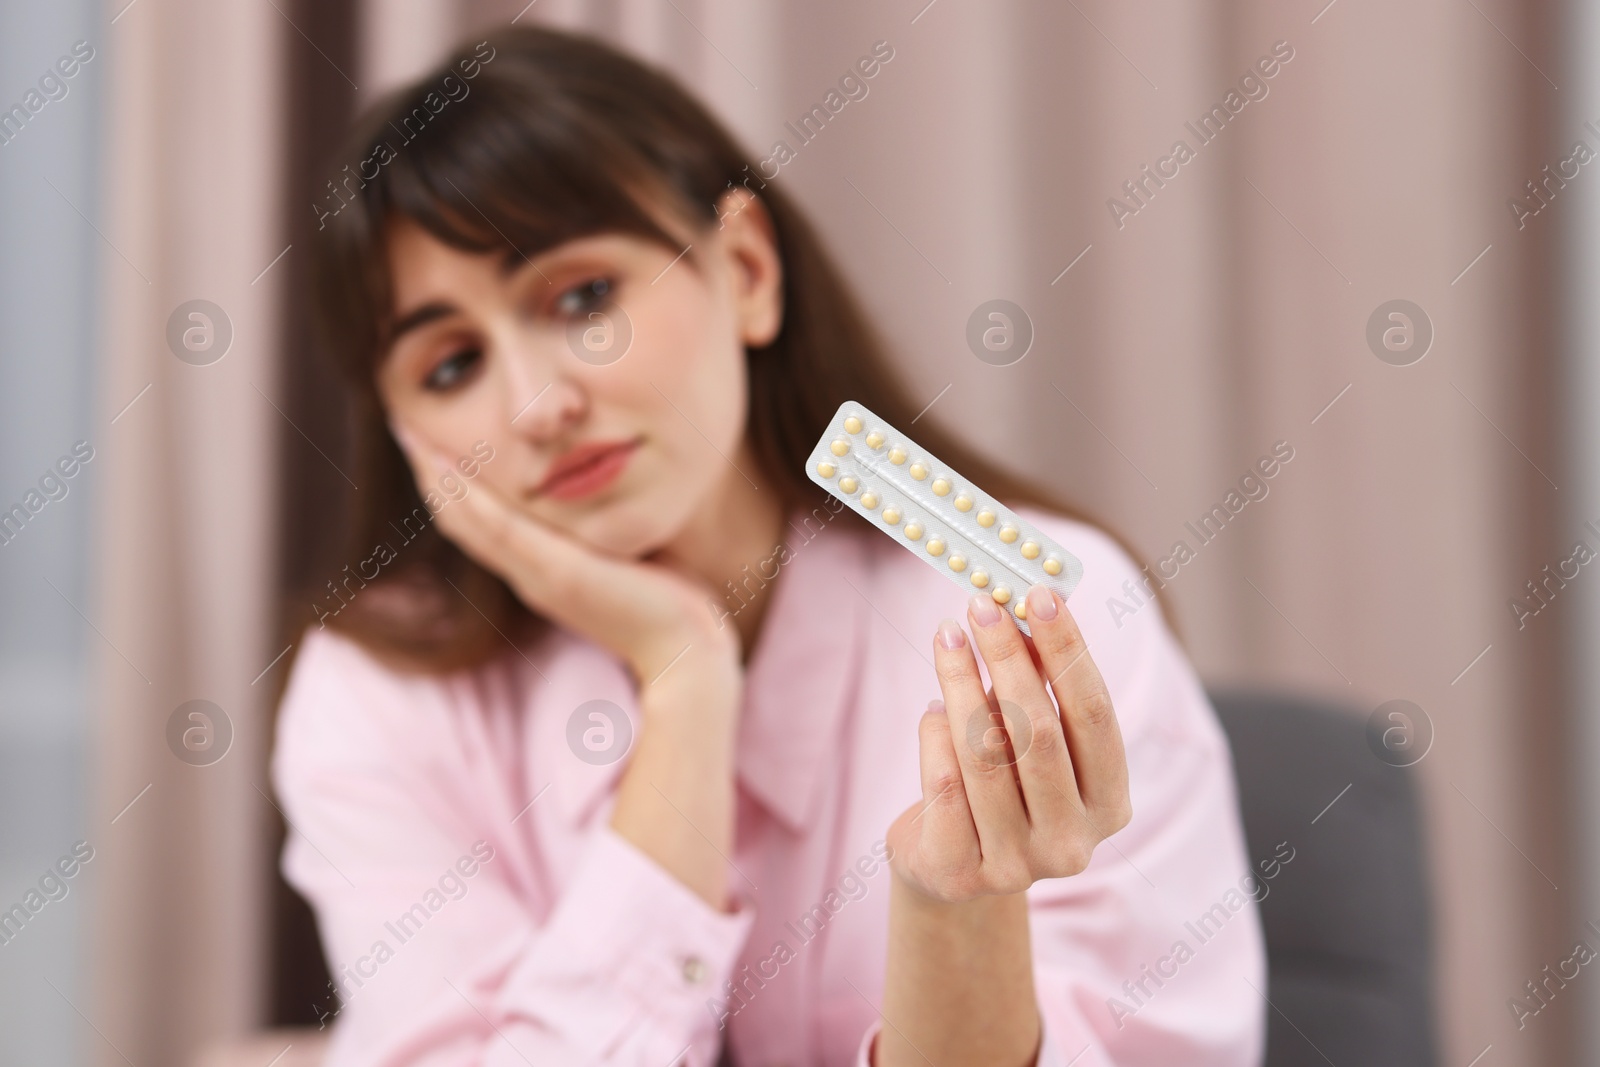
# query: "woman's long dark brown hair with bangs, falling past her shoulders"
513,146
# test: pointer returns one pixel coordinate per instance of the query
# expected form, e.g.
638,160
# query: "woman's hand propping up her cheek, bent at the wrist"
646,613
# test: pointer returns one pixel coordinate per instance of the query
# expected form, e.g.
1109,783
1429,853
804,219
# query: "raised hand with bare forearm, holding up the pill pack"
1014,791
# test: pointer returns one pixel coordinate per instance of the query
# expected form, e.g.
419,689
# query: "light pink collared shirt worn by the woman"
478,909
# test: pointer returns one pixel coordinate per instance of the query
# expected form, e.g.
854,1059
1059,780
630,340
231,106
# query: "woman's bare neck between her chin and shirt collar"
730,545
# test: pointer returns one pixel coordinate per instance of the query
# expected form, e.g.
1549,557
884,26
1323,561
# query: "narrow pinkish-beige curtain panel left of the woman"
185,545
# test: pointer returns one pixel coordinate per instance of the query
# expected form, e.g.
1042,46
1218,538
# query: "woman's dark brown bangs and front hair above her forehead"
516,164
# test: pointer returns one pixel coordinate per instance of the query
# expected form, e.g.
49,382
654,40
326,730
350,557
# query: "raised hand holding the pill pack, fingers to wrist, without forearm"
1014,791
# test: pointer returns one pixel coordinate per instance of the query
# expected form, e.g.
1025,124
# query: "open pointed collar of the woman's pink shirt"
798,679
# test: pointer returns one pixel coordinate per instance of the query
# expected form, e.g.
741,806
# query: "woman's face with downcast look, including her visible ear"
607,374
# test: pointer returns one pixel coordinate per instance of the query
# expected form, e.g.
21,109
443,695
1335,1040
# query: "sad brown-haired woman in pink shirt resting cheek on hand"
623,745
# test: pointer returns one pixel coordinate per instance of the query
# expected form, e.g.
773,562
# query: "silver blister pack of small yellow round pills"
935,513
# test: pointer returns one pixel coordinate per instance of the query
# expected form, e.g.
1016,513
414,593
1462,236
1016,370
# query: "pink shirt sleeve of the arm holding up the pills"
1154,954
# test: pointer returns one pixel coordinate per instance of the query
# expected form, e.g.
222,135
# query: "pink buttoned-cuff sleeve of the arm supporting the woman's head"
436,953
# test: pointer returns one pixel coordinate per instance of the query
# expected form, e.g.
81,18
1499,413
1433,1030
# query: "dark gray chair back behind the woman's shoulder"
1348,922
